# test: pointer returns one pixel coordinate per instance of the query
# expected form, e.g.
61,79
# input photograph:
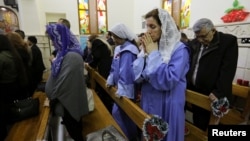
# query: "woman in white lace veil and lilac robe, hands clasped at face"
162,72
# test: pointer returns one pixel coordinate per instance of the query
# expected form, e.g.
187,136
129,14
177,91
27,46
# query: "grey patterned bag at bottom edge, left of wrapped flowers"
109,133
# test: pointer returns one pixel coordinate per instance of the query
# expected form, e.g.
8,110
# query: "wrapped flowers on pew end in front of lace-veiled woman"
154,128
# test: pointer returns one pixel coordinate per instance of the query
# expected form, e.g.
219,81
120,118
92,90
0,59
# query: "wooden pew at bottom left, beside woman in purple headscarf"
32,129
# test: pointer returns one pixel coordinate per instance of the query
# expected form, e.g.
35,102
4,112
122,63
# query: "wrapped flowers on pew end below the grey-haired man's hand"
220,107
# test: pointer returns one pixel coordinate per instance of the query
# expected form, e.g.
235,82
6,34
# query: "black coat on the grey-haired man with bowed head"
217,66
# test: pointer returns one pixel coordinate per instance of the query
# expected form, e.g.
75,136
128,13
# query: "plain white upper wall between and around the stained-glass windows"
32,13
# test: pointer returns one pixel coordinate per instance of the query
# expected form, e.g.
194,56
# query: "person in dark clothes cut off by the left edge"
12,79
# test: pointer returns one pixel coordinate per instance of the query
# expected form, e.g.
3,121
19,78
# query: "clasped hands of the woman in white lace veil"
148,44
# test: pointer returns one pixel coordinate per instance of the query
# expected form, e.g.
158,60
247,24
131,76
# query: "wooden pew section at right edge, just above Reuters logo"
236,116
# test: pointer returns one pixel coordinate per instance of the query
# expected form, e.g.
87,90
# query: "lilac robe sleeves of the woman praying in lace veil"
160,75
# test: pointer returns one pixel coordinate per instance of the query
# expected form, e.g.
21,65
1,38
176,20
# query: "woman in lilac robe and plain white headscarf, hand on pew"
121,75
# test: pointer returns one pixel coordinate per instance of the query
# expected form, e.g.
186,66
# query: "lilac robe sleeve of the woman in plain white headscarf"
125,86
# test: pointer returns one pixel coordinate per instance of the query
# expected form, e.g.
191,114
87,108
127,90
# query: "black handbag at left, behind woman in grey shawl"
23,109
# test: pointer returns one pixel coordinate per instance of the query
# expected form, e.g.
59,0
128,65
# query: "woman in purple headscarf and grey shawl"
66,87
